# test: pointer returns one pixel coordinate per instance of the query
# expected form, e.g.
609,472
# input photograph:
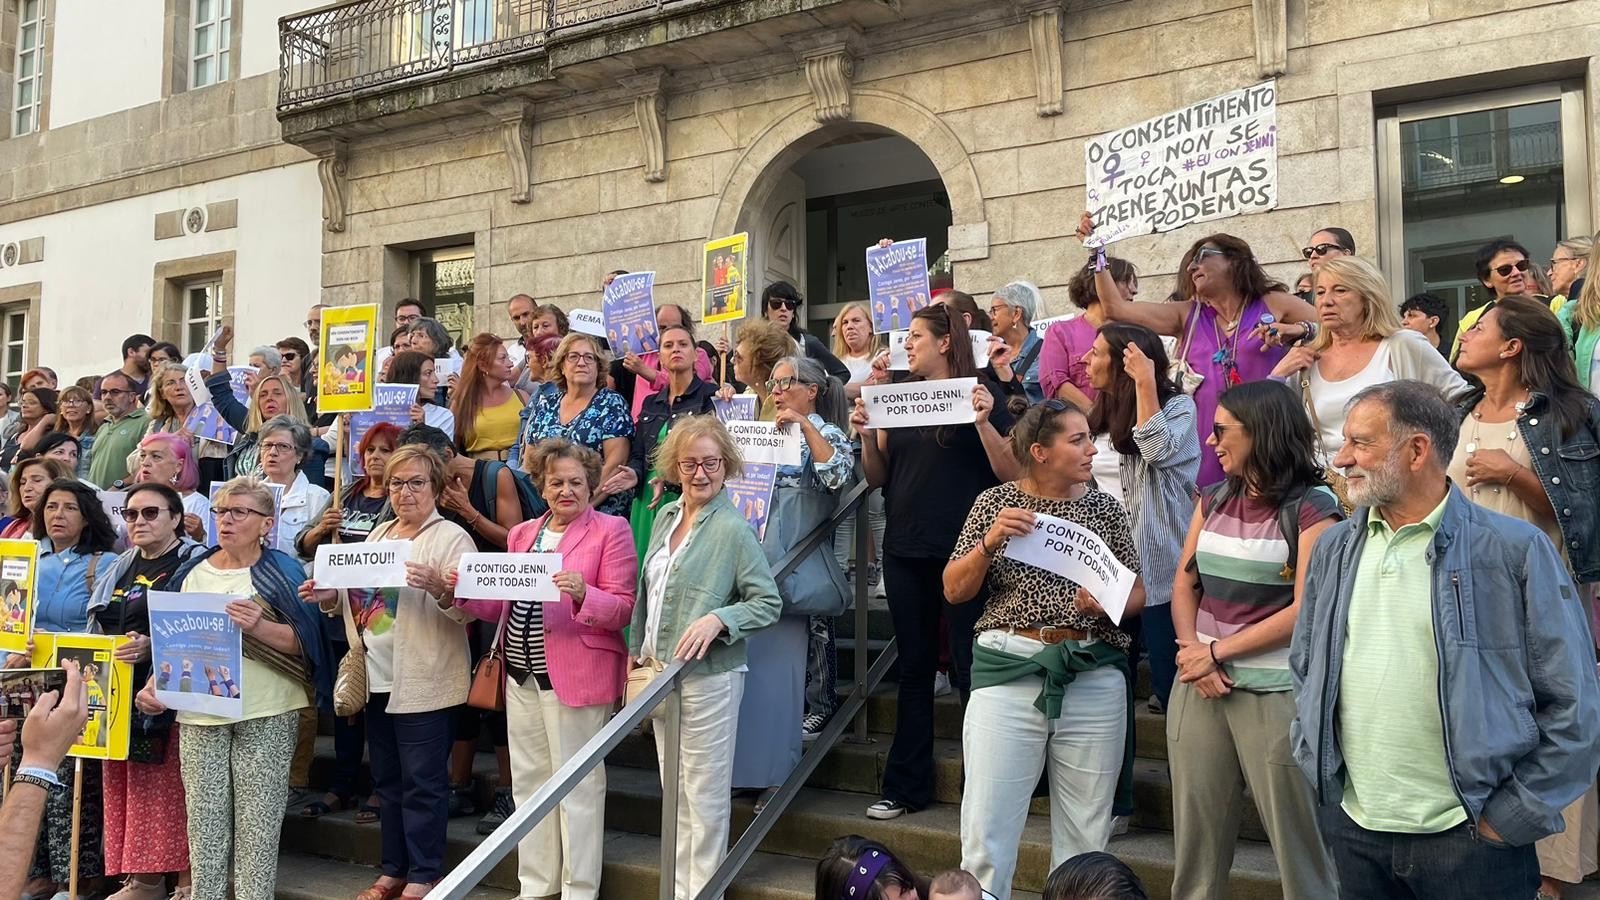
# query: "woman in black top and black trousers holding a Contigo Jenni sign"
930,480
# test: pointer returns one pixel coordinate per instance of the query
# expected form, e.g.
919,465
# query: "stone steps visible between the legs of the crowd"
316,853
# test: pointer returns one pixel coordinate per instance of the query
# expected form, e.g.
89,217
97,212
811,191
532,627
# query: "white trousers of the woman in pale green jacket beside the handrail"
710,725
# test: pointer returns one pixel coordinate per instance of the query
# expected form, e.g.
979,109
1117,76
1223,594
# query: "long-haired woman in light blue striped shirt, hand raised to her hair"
1151,427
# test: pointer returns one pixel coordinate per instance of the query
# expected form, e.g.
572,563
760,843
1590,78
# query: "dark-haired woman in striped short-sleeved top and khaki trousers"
1234,606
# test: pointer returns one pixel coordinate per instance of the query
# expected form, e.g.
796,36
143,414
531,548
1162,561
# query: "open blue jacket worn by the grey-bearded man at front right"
1518,689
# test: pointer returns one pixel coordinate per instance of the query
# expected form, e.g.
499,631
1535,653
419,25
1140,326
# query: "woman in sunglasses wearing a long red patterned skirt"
146,822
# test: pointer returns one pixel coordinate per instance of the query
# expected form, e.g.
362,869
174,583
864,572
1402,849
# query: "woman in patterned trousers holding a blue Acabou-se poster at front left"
236,771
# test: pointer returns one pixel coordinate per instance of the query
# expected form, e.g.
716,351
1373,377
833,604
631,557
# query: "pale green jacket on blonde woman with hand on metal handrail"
722,571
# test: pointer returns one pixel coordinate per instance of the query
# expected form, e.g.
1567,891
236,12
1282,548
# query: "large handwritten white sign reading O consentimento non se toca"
1204,163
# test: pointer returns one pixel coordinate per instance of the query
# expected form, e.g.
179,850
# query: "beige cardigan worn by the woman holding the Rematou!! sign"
433,664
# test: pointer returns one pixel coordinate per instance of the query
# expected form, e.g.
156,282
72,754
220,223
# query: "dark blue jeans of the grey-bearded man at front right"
1452,866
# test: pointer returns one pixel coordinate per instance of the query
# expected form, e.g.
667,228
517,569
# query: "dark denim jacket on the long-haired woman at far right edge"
1570,473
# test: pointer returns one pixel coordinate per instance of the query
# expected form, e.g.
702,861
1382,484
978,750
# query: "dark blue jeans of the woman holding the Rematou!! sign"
410,758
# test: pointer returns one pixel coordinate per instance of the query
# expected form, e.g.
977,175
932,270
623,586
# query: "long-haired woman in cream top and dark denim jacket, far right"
1529,451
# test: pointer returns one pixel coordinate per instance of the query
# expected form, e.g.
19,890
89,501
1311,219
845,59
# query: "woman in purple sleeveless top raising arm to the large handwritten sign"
1222,335
